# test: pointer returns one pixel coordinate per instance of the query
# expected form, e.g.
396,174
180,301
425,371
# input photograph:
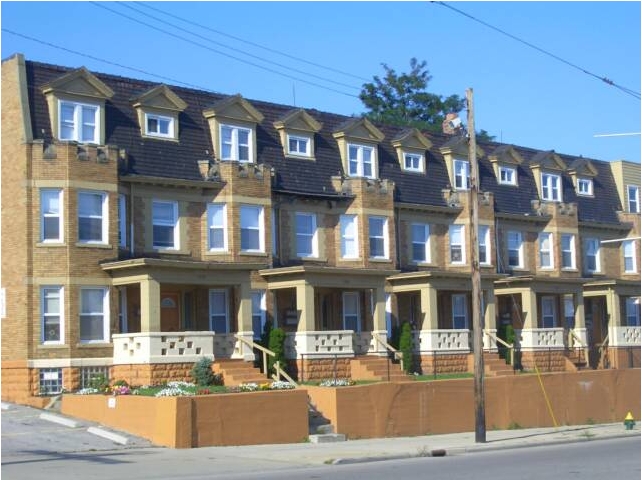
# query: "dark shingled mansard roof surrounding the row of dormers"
158,158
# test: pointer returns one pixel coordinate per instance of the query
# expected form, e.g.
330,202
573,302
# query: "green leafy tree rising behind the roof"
402,99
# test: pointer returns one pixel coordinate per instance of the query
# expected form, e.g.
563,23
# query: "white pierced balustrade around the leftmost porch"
161,347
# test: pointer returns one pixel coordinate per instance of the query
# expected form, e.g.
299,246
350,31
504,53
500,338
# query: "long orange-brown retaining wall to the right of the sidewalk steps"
420,408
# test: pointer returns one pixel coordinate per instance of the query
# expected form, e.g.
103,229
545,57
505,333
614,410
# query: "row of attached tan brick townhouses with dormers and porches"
145,226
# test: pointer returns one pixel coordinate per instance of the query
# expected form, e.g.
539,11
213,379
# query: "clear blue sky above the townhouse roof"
522,96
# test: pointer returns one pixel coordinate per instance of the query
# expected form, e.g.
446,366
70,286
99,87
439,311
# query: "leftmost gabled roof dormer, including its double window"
76,104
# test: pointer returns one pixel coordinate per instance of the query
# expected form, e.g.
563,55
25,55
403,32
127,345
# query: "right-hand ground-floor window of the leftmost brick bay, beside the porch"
94,314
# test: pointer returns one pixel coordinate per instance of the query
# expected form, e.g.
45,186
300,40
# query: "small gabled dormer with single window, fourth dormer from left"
296,129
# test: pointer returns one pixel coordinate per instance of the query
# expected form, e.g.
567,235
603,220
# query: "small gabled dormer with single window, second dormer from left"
158,112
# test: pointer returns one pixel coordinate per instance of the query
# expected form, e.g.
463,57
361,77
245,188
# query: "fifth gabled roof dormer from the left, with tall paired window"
358,140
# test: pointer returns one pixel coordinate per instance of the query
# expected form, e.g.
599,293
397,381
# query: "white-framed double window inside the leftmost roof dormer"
79,122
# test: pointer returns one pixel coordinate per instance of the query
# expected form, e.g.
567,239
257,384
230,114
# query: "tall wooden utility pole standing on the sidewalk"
478,346
